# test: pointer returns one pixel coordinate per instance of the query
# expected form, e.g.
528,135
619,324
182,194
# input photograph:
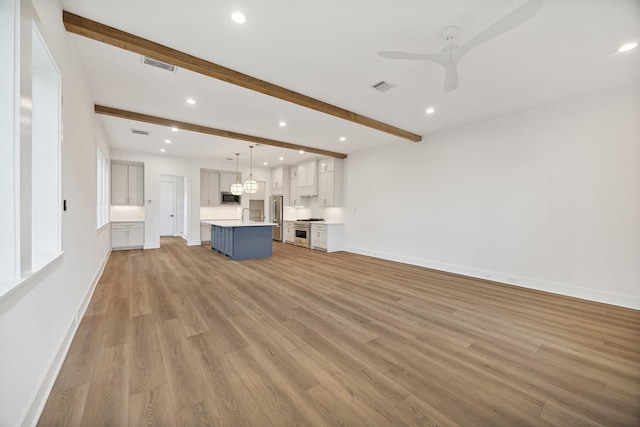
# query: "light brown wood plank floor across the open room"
183,336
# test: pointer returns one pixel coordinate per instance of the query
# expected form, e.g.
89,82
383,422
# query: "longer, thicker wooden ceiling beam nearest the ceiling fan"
103,33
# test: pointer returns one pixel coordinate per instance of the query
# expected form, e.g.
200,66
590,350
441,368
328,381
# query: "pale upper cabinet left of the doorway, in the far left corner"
127,184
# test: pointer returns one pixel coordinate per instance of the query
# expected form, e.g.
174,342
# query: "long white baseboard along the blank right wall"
509,279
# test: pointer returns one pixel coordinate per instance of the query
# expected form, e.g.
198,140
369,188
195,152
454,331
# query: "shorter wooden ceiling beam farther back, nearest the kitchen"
124,114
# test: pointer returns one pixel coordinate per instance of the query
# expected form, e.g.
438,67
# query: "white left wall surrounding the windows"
38,319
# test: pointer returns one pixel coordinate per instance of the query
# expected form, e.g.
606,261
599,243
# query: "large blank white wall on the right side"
547,198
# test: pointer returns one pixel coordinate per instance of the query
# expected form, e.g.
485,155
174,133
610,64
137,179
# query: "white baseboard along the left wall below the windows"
33,414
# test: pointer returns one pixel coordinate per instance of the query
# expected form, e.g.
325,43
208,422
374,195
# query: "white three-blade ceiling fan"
452,54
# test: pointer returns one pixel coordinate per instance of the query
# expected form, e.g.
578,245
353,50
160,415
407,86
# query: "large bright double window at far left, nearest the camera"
30,177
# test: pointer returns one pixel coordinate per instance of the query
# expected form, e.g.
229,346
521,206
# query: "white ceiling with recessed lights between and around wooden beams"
327,50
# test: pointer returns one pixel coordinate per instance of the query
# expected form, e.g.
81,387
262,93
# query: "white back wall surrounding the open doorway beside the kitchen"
154,166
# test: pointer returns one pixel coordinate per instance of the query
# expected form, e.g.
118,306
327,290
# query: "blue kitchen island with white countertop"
241,240
